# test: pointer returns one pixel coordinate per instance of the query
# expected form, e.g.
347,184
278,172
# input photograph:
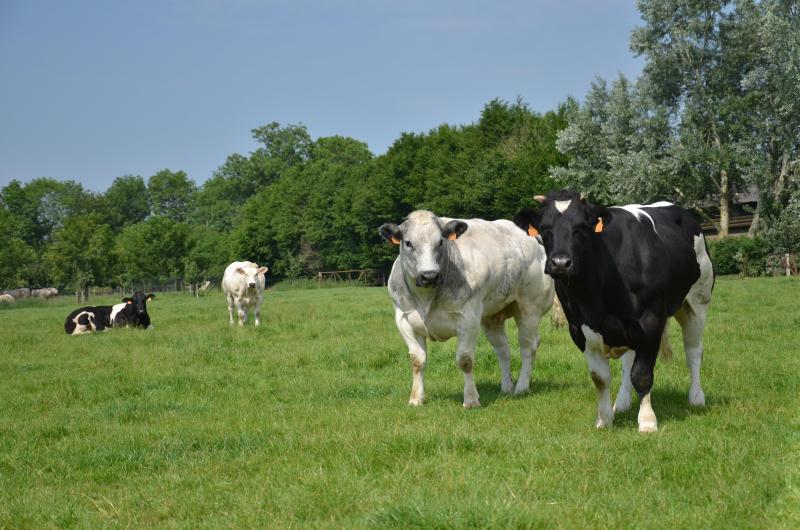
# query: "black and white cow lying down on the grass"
131,312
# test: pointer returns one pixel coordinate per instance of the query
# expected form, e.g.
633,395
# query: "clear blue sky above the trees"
92,90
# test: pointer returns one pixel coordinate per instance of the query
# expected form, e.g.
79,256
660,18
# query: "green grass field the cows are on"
303,422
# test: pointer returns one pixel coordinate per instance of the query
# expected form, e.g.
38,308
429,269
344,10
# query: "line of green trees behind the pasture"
716,111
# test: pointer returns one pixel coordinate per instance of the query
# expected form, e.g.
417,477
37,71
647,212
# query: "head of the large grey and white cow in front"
422,239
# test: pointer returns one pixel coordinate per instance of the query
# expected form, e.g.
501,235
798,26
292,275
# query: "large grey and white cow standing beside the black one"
453,277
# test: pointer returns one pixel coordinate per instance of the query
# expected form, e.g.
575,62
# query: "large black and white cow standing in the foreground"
620,273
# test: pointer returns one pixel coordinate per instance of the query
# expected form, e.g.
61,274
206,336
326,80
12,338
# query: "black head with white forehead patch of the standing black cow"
566,223
